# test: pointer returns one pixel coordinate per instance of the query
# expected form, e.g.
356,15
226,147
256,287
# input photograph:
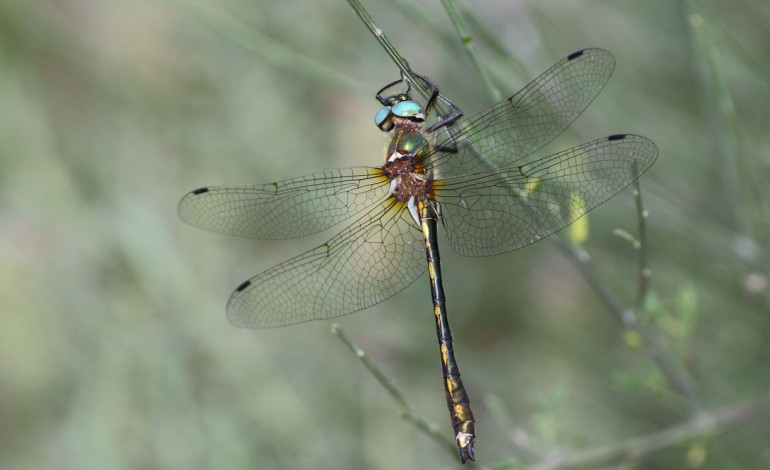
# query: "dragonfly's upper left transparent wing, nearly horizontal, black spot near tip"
285,209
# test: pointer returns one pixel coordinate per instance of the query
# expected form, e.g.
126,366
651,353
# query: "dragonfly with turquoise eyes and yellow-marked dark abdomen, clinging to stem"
474,177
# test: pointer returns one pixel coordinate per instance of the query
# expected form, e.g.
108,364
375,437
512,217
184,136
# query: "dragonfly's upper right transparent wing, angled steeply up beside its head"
518,126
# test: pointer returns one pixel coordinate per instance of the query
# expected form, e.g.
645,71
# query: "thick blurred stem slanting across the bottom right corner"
702,425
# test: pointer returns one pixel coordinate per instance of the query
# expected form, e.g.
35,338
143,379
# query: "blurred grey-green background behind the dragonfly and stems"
114,348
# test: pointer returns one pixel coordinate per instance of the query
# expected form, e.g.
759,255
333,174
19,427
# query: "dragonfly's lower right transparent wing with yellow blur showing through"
493,212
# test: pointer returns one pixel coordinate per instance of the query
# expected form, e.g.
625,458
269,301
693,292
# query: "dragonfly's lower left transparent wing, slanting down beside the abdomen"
369,261
